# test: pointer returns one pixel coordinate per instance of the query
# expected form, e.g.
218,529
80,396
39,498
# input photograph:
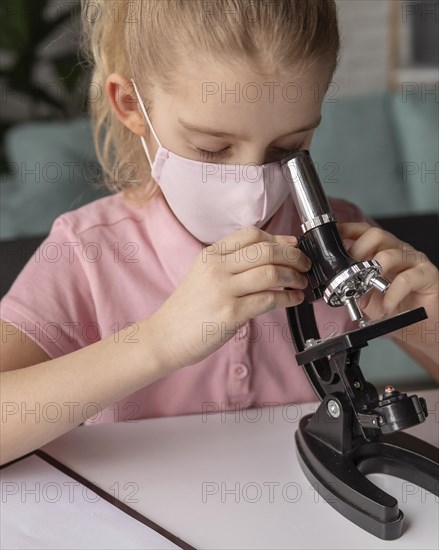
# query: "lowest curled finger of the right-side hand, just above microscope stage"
411,280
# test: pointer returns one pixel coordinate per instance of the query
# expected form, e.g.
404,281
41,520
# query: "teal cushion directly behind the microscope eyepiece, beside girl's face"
357,154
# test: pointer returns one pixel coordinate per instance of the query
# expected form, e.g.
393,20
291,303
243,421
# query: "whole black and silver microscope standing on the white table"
354,432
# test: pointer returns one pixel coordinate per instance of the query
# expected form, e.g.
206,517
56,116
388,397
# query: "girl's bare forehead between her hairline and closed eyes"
236,99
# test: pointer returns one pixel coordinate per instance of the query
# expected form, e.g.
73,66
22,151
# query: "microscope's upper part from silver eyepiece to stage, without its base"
340,280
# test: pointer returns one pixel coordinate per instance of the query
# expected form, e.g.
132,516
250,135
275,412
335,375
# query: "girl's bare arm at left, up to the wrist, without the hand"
103,373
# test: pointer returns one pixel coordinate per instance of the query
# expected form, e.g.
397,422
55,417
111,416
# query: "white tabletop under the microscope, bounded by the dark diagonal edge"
232,480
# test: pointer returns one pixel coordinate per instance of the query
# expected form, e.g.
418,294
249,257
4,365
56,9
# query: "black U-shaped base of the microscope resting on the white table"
340,476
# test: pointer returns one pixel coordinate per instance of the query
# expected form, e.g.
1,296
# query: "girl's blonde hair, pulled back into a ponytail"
148,39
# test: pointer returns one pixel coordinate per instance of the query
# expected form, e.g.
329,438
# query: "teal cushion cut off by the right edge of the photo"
416,119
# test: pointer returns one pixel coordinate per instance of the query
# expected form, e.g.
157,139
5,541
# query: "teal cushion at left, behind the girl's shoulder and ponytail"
54,170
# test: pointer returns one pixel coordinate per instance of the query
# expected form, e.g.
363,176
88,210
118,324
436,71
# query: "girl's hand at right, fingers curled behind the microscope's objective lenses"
414,279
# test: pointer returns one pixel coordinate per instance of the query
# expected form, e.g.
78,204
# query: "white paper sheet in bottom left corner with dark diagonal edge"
42,507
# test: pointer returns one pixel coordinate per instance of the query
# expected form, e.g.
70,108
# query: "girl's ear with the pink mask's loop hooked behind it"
122,96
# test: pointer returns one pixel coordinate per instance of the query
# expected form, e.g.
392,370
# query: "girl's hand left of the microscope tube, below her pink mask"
228,284
